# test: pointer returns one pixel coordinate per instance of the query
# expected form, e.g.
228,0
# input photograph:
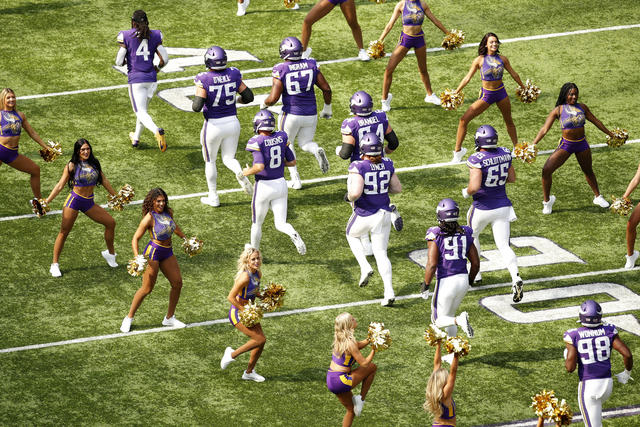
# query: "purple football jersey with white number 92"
375,194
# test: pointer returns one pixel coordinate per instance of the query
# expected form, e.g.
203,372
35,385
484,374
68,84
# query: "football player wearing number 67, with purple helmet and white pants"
295,79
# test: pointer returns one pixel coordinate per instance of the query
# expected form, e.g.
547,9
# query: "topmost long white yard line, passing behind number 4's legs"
335,61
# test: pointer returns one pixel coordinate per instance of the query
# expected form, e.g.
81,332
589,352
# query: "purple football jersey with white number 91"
453,250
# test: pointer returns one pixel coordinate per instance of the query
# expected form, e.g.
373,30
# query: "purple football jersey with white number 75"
221,87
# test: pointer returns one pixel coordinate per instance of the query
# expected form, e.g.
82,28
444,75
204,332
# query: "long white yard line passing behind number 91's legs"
296,311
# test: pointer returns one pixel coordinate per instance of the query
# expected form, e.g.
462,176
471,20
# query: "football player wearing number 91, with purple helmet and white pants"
450,245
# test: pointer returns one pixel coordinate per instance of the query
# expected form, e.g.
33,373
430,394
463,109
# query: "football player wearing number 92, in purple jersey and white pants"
369,183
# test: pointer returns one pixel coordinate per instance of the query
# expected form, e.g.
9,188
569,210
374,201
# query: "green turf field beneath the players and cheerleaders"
173,377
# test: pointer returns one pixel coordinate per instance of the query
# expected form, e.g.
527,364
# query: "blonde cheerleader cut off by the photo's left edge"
12,122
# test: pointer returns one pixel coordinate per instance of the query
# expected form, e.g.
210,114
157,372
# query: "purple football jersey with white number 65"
495,165
